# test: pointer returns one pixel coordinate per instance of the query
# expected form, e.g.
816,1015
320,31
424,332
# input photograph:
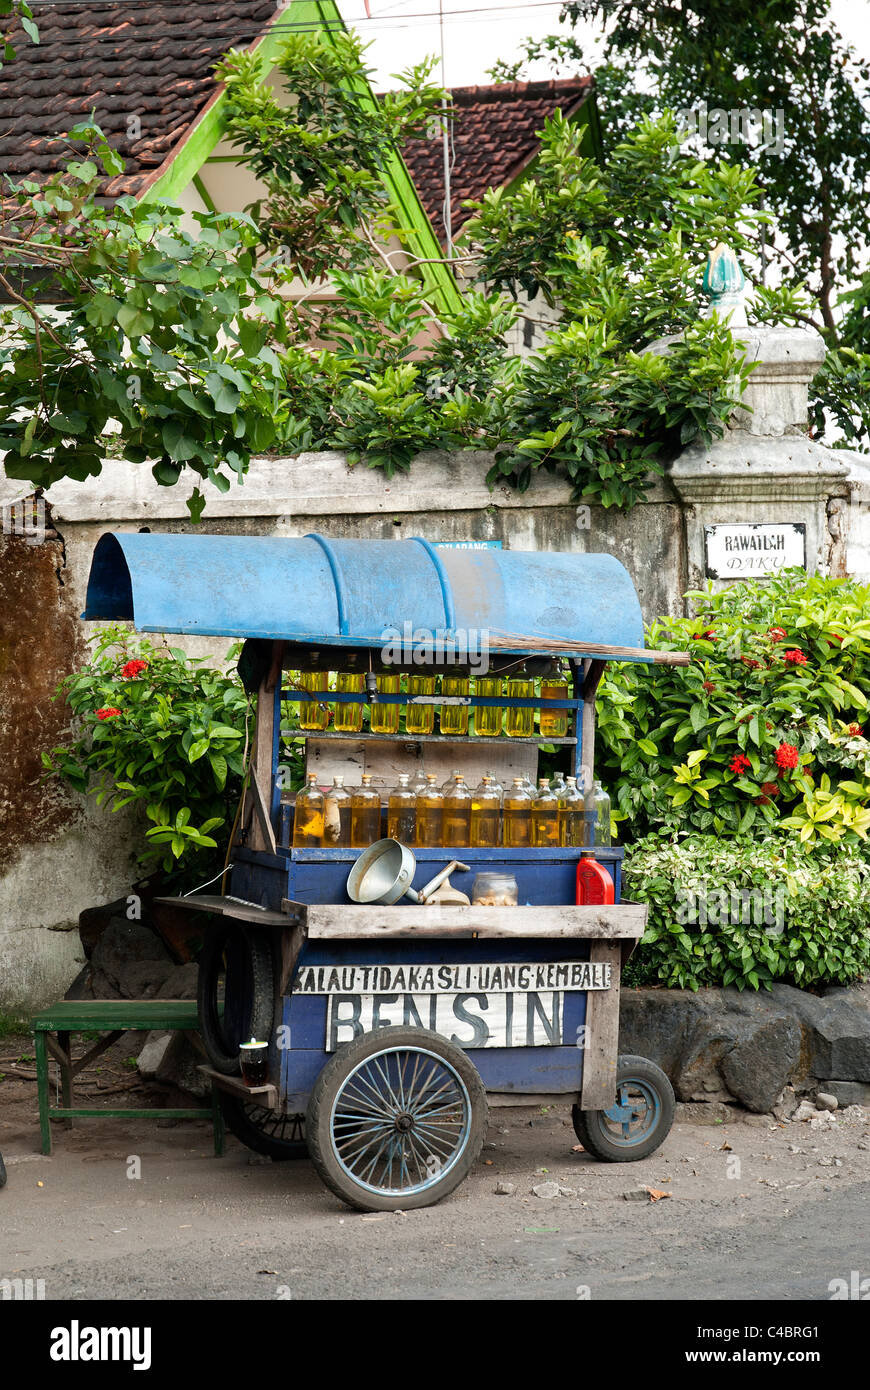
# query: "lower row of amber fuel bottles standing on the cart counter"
452,817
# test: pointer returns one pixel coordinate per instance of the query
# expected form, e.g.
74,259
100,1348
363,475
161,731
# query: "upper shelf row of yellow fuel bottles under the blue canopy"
454,719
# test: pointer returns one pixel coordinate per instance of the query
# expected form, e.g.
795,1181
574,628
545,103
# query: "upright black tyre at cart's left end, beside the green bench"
249,1008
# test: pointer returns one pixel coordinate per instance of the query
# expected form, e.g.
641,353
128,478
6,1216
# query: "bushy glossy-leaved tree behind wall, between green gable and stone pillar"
618,251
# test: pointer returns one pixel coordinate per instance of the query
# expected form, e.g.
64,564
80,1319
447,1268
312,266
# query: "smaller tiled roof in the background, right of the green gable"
495,137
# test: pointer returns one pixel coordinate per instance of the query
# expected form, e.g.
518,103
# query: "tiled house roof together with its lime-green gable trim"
154,60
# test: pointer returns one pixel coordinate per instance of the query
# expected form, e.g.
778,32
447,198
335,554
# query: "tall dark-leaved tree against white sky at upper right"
783,58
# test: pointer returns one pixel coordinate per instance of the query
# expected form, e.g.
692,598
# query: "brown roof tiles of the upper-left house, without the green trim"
120,60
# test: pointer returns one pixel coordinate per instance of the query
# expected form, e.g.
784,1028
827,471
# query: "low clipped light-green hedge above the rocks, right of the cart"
748,913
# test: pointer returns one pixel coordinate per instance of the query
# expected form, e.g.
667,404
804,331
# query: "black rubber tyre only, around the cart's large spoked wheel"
329,1086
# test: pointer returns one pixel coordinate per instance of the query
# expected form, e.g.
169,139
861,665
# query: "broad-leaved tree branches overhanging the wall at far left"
156,334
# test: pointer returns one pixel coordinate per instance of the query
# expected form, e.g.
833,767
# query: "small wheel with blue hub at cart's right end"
639,1122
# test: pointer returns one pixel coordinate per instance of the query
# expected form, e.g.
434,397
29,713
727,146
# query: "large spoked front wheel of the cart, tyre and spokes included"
397,1120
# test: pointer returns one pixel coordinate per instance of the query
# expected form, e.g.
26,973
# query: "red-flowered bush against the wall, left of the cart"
162,732
